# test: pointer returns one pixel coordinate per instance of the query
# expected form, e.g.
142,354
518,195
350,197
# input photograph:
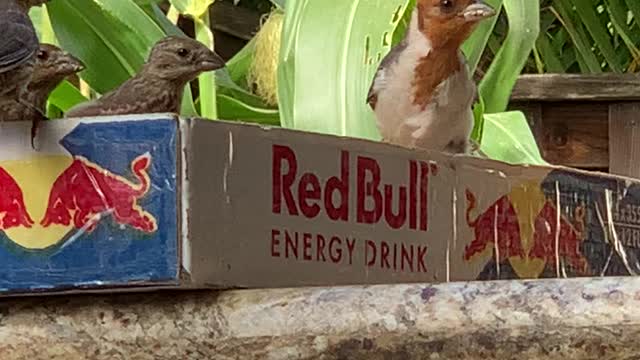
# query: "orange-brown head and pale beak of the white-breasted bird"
448,23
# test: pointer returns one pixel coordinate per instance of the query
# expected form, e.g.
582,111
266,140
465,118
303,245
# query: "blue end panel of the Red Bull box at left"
94,207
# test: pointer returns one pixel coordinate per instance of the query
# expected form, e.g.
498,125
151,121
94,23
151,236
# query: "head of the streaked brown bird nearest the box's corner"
181,59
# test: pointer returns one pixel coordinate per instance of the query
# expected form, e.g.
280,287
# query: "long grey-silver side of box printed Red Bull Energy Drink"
273,207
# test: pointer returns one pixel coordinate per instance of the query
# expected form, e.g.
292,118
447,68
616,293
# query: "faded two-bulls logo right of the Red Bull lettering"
526,229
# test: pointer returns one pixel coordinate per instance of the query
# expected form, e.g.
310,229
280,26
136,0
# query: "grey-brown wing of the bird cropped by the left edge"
19,41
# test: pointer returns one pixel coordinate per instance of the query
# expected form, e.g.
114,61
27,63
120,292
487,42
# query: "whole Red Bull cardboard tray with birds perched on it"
153,201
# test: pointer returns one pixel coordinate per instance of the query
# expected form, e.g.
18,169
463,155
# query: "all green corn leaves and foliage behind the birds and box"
307,64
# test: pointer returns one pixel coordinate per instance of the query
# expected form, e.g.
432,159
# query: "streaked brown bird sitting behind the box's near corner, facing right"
158,87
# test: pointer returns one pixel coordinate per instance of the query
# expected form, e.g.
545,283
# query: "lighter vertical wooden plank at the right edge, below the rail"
624,139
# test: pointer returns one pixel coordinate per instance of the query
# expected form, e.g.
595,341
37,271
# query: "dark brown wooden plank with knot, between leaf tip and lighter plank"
571,134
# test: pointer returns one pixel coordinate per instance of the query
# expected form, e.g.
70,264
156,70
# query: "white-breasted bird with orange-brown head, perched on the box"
422,93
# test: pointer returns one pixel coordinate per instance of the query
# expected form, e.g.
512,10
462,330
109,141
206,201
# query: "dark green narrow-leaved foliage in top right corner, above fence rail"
580,36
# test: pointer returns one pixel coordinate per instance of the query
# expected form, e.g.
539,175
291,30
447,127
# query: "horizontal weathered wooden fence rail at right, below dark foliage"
559,87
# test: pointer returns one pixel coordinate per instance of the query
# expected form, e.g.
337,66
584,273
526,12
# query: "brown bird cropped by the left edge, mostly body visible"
18,46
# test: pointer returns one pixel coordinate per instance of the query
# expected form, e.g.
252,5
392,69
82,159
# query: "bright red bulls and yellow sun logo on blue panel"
69,193
